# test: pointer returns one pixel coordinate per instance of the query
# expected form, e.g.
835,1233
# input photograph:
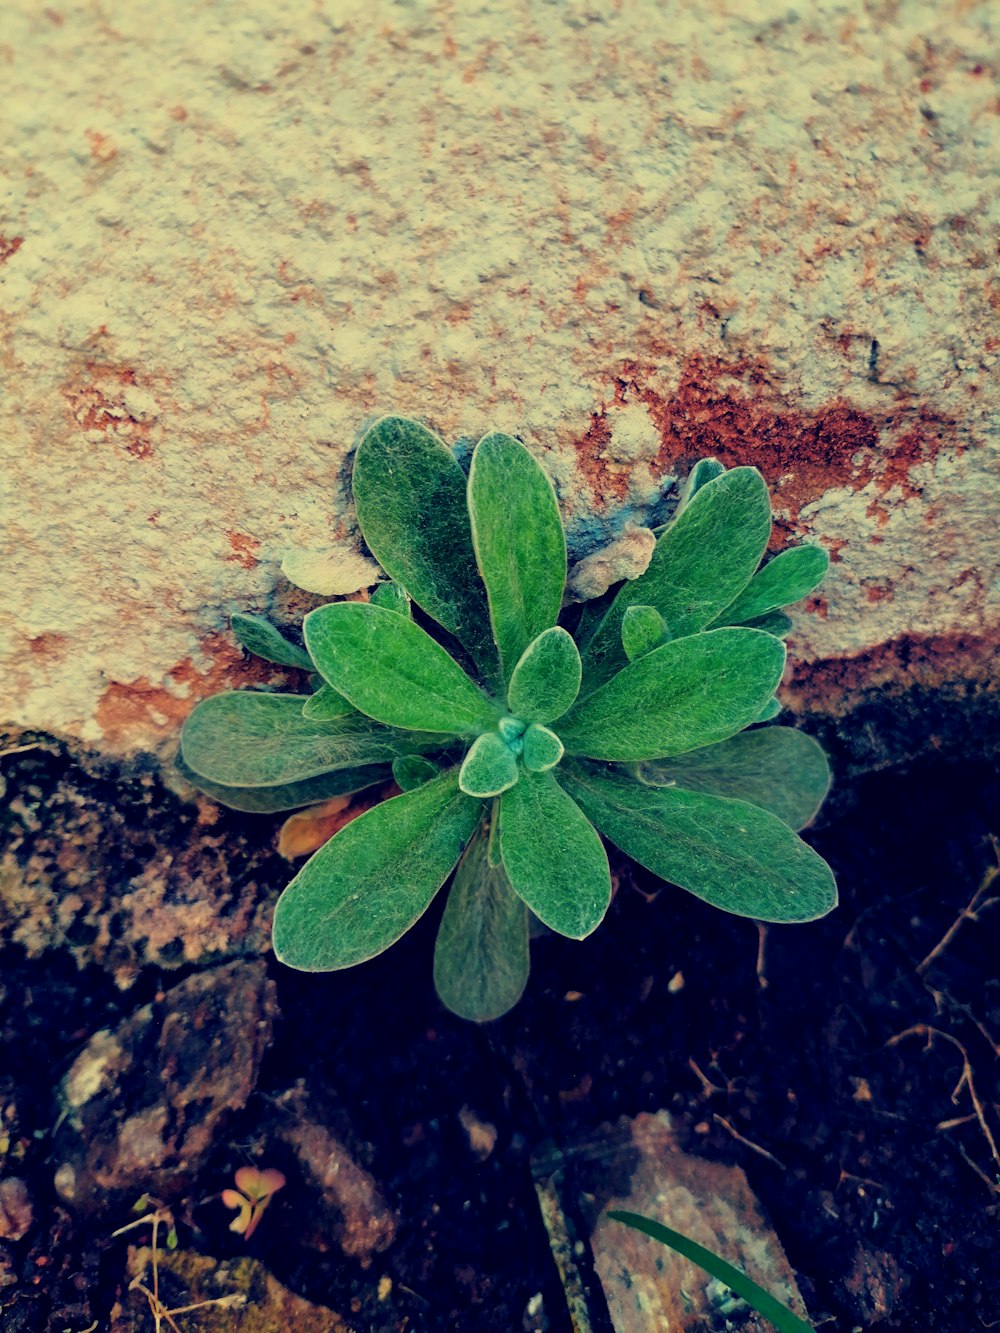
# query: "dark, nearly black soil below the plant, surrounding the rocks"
887,1218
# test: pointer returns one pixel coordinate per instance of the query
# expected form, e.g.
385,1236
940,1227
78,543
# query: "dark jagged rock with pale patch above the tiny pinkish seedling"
145,1104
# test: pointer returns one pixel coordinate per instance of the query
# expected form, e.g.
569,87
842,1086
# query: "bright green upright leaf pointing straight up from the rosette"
519,543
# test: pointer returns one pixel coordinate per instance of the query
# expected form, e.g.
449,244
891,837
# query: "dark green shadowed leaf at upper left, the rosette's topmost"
410,494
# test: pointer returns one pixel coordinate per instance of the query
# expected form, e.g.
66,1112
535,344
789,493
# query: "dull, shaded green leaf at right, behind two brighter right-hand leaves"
778,768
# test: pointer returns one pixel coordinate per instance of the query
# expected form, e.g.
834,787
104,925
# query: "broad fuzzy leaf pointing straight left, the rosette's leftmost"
243,739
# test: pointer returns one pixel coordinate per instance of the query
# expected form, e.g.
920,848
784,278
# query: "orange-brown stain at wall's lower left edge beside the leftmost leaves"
126,710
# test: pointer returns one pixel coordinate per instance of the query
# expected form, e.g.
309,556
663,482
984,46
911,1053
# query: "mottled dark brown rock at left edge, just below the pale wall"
119,878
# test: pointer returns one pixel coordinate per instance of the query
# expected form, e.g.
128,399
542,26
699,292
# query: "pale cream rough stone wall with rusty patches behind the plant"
634,234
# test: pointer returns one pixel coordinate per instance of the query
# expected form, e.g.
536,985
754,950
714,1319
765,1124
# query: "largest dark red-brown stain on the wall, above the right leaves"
729,410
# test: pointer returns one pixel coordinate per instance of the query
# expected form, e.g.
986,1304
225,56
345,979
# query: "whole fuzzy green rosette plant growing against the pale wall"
515,743
